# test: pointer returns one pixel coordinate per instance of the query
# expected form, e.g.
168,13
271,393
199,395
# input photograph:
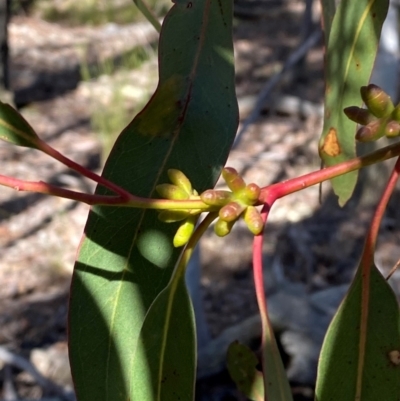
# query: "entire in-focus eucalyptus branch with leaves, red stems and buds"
131,333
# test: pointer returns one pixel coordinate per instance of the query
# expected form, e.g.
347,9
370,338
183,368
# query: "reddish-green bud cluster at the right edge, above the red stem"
380,118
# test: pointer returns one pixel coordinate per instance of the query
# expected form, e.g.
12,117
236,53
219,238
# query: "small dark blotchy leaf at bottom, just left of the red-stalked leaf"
241,363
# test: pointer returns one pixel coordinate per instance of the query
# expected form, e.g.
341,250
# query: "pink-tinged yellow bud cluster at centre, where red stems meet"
239,201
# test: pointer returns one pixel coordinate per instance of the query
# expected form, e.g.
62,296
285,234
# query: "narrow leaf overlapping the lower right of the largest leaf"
165,360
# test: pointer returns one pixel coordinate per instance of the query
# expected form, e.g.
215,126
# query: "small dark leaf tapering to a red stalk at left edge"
15,129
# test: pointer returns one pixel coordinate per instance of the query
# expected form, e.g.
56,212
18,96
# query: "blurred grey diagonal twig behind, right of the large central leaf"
293,59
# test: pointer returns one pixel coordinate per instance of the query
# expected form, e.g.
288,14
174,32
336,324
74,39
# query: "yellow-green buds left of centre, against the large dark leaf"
180,189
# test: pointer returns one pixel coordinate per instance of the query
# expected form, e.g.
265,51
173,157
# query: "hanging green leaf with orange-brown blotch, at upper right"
351,49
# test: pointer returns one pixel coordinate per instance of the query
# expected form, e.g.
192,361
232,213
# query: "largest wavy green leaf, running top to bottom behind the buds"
126,257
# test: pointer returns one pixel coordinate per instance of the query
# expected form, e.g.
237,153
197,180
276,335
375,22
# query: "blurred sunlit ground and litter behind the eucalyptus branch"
79,71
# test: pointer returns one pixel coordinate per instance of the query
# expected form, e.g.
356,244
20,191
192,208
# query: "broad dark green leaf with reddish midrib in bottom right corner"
360,355
